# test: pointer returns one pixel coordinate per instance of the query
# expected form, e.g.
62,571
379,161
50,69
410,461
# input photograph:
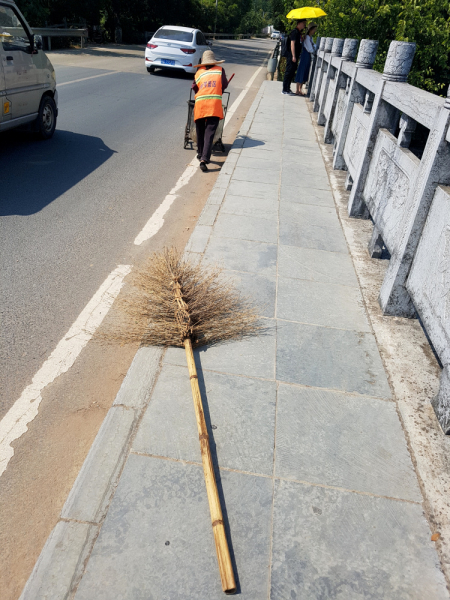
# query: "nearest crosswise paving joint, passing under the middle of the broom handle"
277,477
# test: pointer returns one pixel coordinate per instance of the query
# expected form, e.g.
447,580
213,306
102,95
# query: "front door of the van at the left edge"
19,69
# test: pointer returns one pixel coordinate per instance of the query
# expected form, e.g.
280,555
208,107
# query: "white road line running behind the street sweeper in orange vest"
156,221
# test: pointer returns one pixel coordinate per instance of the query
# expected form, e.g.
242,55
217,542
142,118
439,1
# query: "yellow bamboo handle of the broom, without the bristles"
220,538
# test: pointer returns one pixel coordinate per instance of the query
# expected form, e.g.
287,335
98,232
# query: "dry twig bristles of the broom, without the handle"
213,309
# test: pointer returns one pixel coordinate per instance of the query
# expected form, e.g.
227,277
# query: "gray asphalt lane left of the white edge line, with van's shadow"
71,207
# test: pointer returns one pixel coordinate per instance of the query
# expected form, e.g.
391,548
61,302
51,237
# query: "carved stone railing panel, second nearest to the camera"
392,174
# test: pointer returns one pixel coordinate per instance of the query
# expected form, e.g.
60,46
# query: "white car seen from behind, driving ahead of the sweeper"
175,48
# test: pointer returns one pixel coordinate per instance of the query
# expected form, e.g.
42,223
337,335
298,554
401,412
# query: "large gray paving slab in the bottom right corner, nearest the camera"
333,544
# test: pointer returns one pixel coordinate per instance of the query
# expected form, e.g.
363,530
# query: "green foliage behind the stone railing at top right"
426,22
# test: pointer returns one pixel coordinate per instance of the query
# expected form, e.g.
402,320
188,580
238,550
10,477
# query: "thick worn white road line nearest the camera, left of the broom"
25,409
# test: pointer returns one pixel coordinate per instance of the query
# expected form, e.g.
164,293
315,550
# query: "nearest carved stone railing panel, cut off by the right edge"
429,279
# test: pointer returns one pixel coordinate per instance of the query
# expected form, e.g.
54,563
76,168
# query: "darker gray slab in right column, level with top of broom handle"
330,358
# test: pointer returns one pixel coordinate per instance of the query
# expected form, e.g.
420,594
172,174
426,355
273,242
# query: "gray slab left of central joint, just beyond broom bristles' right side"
242,255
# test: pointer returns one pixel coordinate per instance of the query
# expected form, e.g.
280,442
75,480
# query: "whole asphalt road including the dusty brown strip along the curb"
70,210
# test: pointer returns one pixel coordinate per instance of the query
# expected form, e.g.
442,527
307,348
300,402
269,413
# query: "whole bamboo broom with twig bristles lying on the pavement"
176,302
